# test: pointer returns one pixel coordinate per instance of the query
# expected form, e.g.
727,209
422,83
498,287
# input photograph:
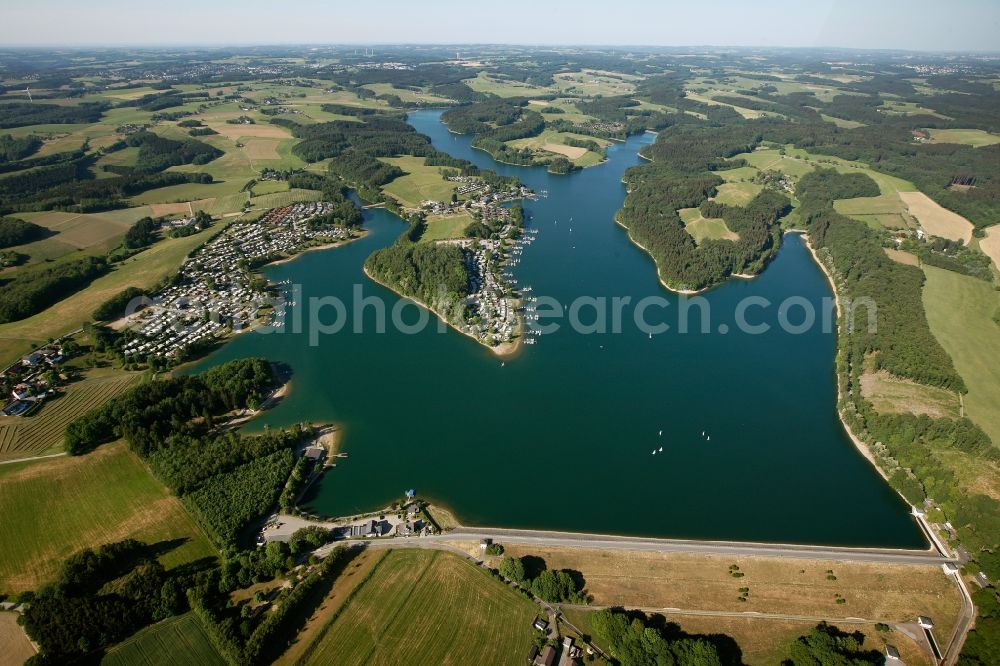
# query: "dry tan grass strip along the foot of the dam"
877,592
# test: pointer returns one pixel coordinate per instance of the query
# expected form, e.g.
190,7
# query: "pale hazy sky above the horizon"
894,24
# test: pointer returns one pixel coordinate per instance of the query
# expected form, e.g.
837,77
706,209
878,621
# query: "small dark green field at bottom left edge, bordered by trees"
177,640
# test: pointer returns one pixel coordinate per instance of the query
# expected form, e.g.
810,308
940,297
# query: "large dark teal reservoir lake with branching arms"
560,436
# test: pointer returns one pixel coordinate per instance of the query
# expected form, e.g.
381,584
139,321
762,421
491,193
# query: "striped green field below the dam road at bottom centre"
428,607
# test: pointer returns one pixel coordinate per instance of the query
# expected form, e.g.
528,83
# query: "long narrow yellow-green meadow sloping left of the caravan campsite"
143,270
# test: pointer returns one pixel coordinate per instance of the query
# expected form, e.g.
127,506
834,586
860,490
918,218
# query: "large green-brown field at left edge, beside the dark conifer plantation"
55,507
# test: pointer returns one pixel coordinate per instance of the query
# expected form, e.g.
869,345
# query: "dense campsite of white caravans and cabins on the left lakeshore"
217,291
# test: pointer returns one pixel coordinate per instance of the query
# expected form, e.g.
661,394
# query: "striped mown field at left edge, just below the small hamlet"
42,431
